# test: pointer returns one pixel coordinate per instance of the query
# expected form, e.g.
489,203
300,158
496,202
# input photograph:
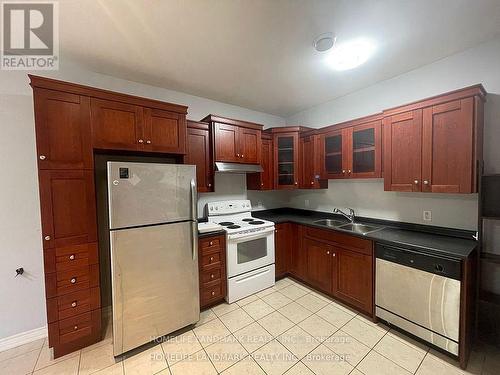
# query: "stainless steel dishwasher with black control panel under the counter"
419,293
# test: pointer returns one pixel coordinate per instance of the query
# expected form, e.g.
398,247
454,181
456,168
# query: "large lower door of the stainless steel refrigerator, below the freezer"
154,282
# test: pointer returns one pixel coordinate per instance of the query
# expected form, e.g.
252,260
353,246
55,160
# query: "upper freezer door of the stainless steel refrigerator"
150,193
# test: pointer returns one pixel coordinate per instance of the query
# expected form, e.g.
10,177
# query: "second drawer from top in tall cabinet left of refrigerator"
61,283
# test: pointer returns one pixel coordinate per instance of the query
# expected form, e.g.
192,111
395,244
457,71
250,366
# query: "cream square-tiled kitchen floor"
288,329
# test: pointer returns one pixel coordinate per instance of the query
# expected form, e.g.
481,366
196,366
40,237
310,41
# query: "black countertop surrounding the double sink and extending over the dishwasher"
449,242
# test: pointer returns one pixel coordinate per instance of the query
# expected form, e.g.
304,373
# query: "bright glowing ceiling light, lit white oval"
349,55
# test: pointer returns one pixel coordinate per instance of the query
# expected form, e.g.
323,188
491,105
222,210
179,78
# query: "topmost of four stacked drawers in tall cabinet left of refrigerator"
70,257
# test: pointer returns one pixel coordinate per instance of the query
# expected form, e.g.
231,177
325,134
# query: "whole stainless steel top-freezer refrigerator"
153,242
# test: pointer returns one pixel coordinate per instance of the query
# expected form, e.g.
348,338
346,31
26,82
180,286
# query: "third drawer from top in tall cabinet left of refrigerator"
73,304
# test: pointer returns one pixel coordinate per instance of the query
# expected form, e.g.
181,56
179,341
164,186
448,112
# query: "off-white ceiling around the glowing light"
258,53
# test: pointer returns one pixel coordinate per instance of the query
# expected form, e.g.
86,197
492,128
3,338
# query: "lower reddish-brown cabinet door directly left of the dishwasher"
353,275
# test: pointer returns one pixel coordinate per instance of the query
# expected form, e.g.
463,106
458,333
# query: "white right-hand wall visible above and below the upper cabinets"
476,65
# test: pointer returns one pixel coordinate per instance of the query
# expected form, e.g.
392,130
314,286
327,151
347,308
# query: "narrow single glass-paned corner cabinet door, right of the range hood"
286,155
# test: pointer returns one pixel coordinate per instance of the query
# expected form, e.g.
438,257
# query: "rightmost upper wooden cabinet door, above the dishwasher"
448,147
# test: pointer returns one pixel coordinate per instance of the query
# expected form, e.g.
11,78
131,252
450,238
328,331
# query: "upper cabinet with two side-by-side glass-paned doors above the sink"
352,149
